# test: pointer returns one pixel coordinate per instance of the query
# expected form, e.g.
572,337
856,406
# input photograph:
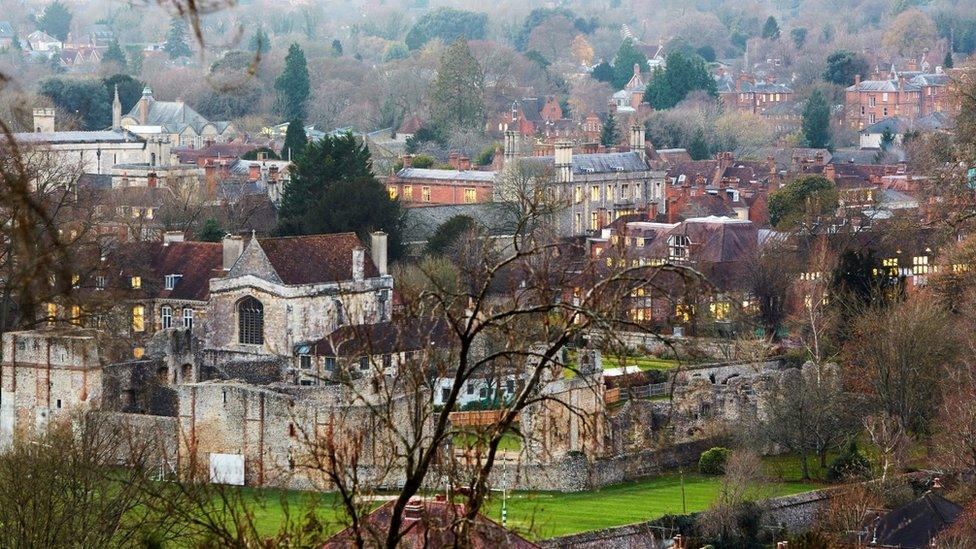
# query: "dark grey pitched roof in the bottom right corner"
913,526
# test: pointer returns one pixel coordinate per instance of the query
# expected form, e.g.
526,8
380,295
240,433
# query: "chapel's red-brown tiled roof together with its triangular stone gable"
298,260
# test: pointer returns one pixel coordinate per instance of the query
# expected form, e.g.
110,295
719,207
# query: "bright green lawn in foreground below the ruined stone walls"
540,515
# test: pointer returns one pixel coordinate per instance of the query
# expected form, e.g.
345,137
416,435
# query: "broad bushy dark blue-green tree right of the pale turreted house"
682,74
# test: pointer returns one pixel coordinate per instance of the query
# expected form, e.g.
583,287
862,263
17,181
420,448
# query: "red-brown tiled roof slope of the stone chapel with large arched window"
314,259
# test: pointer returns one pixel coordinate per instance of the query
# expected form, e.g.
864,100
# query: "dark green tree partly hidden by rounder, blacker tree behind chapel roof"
331,159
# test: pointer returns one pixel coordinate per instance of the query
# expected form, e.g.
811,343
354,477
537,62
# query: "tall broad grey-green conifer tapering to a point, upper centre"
458,91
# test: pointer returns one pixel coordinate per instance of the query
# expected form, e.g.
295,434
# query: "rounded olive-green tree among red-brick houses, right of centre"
813,194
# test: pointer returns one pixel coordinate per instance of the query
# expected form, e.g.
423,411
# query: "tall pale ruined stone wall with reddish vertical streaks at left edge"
47,374
